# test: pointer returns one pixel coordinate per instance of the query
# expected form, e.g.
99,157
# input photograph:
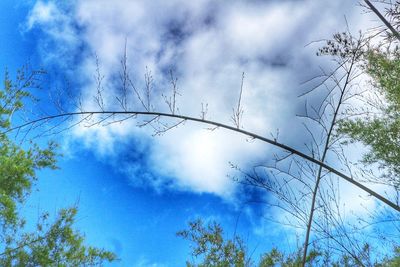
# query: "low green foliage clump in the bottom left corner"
54,244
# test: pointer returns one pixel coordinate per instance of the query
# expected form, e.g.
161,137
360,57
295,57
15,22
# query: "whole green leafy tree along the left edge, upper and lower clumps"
52,244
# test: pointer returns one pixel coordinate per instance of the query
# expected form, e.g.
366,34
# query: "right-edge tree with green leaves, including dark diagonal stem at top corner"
378,126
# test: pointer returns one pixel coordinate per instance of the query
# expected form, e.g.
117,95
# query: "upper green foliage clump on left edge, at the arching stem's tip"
18,166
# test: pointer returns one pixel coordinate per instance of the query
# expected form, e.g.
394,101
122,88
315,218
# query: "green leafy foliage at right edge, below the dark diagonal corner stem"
381,132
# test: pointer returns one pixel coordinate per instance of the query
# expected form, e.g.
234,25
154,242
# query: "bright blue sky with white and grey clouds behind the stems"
135,190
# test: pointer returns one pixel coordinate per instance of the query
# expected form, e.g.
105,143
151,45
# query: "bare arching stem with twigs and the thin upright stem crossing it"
320,211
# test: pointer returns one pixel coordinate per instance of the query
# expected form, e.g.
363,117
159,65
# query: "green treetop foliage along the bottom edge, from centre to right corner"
210,249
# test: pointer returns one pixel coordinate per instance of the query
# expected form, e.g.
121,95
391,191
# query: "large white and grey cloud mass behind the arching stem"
208,44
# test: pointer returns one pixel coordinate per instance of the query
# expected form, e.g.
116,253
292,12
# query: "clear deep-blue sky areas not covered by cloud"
139,224
